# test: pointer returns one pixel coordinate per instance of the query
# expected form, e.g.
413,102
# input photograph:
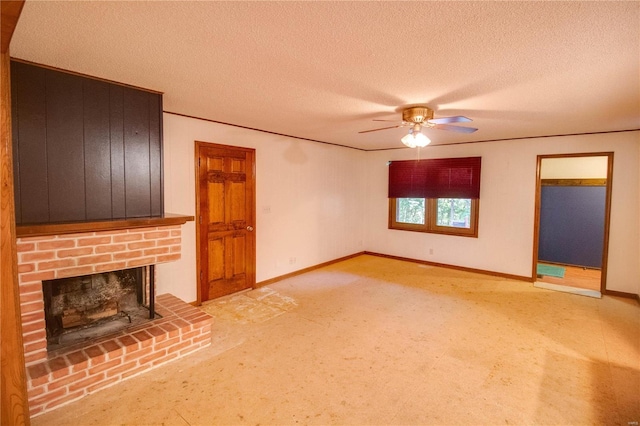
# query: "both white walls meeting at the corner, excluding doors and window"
319,202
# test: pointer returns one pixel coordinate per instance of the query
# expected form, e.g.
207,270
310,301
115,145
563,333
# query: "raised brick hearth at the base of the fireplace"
76,371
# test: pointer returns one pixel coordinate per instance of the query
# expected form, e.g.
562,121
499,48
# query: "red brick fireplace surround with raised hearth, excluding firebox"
58,376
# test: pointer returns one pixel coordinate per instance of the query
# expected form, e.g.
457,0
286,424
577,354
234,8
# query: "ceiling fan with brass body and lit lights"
419,117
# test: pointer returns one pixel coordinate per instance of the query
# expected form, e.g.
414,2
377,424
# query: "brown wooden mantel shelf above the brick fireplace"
104,225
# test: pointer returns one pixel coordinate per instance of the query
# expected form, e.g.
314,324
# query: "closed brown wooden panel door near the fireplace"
225,203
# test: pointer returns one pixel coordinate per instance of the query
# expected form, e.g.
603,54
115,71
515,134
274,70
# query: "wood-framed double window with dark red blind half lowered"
439,196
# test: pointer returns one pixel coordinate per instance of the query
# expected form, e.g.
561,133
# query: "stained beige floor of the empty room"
374,341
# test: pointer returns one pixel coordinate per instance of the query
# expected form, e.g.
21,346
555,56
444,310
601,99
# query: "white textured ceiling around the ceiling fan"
325,70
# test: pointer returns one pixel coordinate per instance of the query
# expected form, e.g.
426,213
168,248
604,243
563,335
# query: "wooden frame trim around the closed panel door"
251,269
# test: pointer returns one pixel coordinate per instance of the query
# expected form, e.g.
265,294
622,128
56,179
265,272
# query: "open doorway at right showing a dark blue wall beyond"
571,237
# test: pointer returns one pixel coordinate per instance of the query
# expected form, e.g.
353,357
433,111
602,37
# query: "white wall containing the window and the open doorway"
507,204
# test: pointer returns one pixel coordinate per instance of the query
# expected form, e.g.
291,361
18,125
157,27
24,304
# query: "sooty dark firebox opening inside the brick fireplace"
80,309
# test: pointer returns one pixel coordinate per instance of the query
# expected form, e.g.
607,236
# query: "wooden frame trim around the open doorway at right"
607,213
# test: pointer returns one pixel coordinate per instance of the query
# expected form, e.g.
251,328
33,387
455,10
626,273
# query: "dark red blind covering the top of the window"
435,178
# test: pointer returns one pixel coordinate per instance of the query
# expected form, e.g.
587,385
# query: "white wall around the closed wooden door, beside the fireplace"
309,200
